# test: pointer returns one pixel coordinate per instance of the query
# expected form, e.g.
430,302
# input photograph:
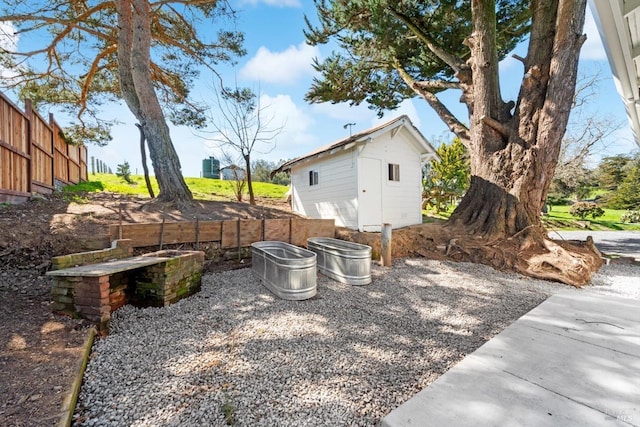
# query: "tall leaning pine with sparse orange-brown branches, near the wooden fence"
145,52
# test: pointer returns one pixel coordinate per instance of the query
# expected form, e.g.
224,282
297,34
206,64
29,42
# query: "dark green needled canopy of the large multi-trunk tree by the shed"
390,51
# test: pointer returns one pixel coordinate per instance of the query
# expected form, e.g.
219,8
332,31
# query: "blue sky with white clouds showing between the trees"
278,65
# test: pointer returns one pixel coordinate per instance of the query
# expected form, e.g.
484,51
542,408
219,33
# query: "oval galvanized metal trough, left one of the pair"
286,270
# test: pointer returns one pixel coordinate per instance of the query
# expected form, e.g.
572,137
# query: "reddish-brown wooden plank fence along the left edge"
34,156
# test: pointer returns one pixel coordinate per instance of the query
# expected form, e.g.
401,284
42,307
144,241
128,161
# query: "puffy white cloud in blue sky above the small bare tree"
280,67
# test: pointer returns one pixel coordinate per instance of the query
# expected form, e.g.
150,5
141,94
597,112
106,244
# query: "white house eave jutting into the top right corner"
618,22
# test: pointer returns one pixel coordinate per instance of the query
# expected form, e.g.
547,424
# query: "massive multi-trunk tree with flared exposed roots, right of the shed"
397,50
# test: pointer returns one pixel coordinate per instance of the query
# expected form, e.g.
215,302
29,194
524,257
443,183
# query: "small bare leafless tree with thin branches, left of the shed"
243,125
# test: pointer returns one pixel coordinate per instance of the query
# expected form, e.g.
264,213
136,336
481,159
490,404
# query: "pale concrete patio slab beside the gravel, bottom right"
572,361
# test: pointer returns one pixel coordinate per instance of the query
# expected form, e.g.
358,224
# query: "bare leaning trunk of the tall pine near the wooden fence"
134,41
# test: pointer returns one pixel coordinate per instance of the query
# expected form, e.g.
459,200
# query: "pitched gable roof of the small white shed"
361,138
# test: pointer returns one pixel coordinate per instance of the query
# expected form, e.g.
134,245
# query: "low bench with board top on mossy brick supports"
93,291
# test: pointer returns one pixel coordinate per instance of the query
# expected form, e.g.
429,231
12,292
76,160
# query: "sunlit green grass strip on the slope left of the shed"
202,188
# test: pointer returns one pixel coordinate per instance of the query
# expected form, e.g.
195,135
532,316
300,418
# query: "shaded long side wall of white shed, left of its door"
336,192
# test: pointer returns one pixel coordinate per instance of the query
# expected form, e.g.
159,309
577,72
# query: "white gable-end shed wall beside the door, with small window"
401,200
